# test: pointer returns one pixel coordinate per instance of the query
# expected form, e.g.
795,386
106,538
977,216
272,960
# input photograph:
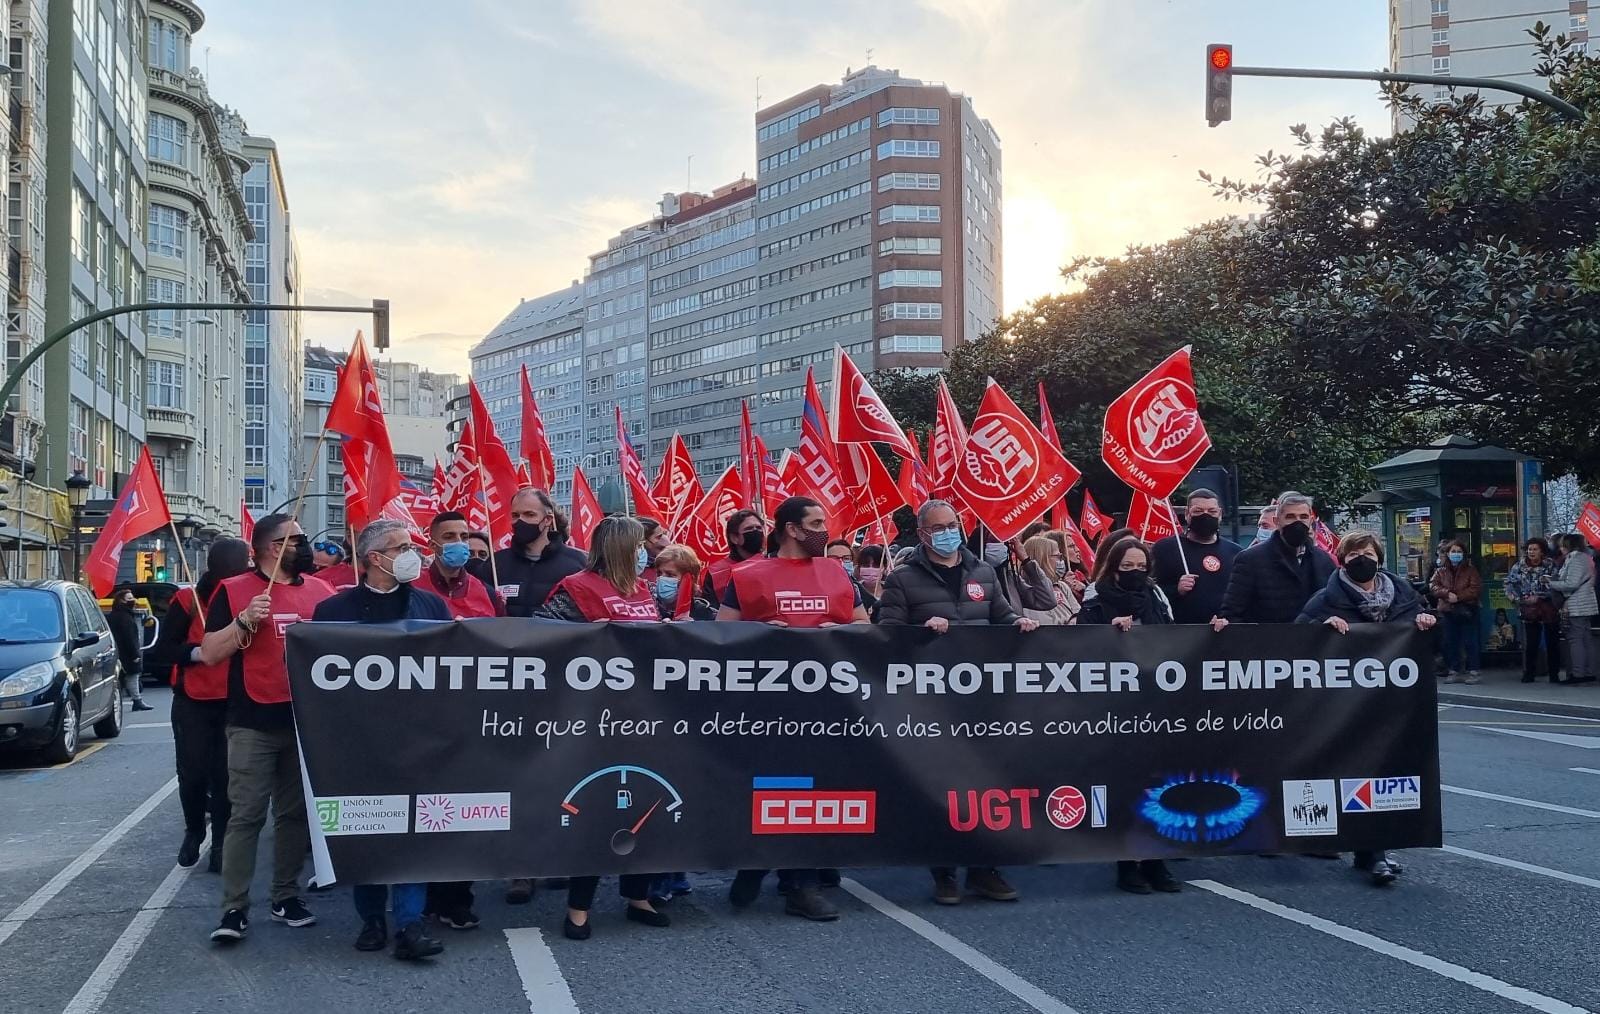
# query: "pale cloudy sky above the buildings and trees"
457,158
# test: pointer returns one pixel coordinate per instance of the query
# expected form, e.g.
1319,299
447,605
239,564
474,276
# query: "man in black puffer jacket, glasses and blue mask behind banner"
946,585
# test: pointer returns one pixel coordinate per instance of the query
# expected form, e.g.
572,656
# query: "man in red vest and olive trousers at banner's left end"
246,626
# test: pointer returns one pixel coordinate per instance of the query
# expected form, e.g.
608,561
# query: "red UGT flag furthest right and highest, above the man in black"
1154,434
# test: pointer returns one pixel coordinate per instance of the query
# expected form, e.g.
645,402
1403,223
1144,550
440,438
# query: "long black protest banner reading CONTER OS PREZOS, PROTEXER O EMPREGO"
508,748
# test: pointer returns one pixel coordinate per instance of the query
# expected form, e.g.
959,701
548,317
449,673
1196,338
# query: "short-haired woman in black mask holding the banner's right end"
1362,593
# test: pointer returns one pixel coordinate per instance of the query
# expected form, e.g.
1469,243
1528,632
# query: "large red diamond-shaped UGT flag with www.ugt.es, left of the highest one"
1009,474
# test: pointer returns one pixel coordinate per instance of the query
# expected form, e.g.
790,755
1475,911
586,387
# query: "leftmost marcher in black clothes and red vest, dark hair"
199,705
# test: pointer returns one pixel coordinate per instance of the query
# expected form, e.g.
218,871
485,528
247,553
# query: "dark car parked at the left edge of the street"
58,669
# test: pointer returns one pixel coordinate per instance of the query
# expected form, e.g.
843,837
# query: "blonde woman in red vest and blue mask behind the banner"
609,589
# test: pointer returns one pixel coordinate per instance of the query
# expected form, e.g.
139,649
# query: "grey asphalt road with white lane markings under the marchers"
95,917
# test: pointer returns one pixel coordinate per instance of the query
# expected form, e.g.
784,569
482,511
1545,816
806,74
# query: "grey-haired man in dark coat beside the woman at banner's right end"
1274,580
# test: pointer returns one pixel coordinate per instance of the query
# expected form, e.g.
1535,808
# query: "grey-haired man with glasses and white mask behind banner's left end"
390,564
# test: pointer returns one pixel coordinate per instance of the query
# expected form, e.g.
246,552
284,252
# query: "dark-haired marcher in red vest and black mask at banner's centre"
796,588
